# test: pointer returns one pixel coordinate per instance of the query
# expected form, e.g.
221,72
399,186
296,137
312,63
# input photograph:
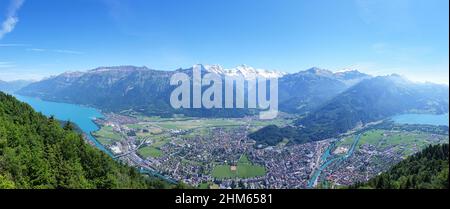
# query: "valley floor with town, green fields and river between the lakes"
216,153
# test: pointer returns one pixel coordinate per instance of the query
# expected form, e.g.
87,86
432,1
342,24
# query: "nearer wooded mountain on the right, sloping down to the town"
368,101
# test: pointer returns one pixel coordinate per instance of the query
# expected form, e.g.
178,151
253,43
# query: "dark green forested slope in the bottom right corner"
425,170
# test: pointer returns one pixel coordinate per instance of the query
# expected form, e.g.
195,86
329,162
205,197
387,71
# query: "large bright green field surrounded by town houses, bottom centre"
244,169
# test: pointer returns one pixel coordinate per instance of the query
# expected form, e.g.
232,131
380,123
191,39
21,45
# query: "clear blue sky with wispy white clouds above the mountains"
47,37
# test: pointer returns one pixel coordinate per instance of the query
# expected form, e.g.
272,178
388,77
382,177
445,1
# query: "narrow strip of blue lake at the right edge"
426,119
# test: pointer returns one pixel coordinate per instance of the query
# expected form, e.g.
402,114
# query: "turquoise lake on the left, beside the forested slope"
80,115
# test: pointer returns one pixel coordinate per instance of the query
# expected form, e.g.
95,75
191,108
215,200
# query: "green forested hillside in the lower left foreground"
37,152
